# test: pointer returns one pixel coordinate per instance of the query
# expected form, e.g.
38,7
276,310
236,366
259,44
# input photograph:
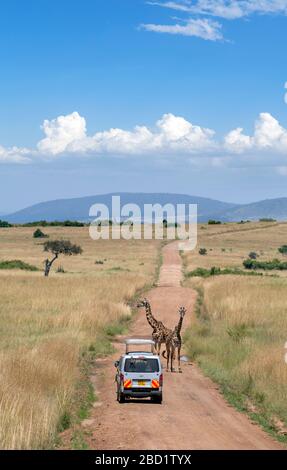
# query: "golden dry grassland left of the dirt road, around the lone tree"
50,328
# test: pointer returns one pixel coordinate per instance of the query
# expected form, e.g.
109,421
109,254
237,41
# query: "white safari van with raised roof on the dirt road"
139,372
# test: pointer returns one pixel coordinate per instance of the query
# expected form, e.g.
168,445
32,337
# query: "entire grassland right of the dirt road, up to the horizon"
240,327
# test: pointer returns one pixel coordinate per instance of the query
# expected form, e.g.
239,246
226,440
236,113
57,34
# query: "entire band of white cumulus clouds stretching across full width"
171,137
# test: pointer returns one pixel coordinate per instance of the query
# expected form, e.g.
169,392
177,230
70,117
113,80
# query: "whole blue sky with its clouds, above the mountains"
186,73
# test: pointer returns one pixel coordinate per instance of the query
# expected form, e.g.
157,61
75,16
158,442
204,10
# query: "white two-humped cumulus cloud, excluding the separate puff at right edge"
67,134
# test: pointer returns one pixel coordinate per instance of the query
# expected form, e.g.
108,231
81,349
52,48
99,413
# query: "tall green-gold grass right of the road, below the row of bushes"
239,339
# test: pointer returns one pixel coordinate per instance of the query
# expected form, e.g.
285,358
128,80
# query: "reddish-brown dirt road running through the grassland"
194,414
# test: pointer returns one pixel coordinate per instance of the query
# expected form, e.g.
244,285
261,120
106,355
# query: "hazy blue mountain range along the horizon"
78,208
